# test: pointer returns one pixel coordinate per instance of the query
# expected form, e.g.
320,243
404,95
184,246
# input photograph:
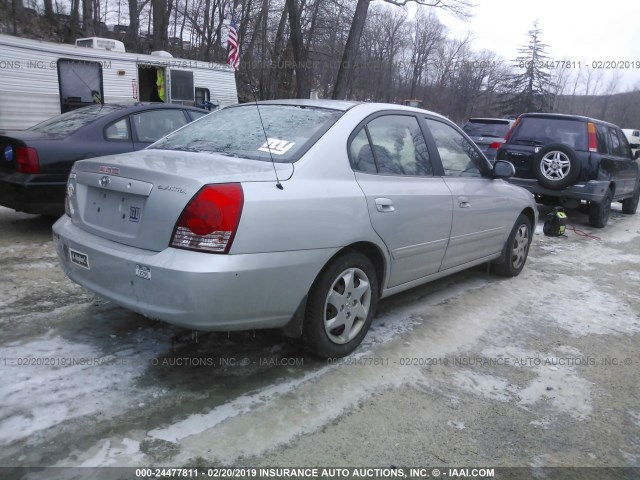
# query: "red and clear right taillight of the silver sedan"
210,220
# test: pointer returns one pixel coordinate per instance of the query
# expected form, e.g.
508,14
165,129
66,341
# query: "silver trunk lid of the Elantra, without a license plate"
136,198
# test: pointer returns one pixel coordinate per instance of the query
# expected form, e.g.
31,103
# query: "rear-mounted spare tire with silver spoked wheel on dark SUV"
556,166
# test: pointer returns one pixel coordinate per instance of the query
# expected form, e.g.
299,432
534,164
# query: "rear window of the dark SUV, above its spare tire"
542,131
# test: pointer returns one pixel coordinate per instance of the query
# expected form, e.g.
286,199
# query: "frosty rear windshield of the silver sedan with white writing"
238,131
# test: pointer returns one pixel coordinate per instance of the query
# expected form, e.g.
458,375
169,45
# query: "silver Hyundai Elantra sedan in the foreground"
293,214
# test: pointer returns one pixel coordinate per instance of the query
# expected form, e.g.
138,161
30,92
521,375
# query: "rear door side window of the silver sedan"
397,147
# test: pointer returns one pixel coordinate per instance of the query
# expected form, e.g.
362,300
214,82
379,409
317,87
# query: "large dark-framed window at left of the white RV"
80,83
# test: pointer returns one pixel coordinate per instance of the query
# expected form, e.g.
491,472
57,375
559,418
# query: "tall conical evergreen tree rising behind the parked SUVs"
530,89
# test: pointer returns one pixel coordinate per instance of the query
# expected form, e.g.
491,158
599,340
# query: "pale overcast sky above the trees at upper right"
587,32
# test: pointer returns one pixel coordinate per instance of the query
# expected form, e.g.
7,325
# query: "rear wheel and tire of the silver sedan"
341,306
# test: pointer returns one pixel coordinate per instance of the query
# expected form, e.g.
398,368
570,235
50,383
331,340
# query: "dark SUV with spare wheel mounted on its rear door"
573,160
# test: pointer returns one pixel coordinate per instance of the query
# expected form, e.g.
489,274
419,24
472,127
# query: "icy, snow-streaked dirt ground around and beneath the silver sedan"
472,370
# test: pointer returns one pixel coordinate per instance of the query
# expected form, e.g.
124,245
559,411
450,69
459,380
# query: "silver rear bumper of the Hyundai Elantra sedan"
191,289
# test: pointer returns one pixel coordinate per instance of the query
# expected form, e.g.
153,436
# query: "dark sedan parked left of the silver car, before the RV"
35,163
